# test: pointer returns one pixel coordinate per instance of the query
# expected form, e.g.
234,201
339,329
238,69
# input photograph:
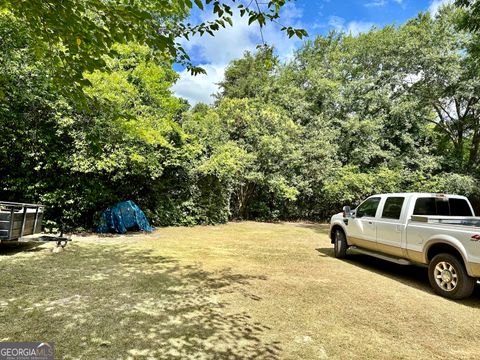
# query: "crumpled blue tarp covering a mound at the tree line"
123,216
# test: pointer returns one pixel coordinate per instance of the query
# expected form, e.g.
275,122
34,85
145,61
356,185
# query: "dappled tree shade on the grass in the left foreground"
108,302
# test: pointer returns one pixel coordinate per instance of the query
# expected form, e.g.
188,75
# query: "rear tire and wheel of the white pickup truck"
448,277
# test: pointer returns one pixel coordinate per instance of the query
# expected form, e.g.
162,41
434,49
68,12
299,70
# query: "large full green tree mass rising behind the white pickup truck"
375,96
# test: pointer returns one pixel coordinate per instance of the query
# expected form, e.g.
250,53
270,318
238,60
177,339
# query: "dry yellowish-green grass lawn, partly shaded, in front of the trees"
238,291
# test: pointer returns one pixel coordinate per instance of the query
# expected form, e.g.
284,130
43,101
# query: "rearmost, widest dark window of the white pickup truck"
436,206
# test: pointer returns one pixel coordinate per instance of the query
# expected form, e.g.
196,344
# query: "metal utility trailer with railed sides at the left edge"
20,220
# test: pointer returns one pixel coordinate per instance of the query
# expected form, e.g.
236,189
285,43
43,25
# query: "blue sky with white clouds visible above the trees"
317,17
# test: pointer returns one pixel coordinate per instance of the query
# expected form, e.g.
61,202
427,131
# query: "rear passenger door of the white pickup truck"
390,228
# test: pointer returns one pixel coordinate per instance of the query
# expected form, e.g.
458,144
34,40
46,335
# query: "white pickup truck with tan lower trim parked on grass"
437,230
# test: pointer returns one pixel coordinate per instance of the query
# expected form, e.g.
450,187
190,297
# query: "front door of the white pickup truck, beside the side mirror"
361,228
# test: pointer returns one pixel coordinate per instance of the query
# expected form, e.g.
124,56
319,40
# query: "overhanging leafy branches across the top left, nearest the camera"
76,34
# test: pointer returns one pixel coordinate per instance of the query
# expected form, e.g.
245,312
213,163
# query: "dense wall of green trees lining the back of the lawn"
394,109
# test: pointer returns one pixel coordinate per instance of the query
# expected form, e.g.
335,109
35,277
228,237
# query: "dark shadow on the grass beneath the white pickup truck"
411,275
